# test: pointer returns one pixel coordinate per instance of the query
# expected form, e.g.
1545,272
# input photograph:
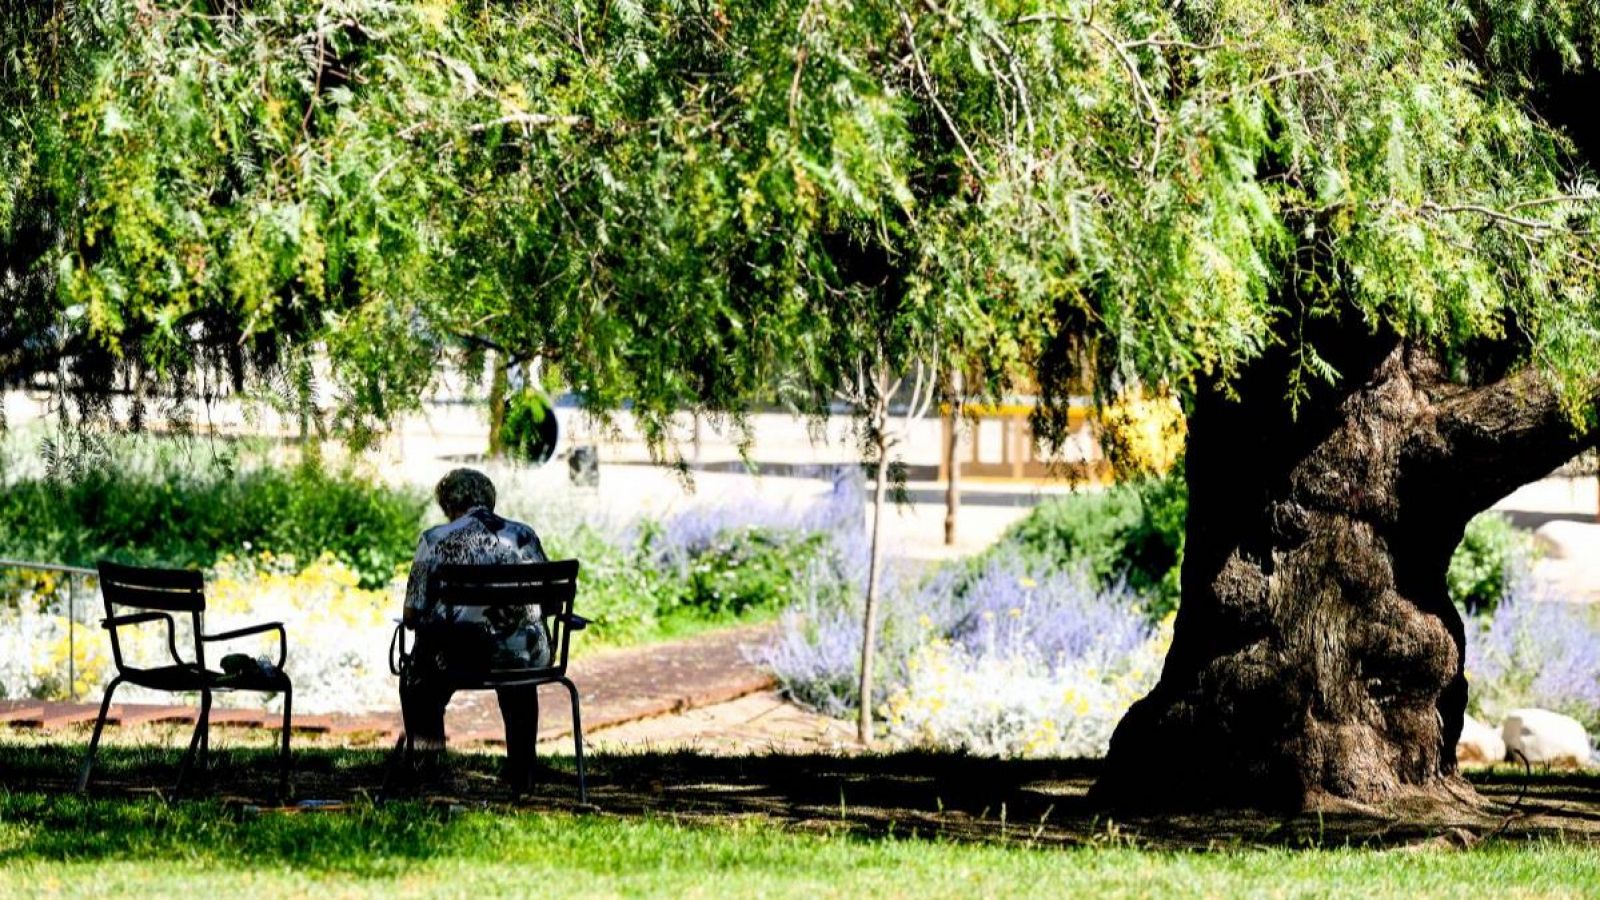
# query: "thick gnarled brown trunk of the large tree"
1318,656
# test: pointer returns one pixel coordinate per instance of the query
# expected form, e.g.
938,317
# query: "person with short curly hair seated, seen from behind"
454,651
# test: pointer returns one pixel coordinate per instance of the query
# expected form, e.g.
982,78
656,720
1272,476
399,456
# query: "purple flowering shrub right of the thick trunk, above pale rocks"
1535,651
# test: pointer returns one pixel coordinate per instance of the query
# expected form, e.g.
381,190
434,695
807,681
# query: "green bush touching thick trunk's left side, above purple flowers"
1132,532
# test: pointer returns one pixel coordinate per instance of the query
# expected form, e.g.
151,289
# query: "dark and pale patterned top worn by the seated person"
482,539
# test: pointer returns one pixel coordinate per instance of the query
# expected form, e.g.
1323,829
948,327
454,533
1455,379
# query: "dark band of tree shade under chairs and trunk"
881,797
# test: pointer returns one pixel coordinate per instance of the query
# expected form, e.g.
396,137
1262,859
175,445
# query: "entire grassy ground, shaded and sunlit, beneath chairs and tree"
894,826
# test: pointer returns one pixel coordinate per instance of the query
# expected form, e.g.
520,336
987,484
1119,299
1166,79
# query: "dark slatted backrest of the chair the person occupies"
550,587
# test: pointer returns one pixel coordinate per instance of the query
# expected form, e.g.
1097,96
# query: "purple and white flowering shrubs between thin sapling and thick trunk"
1004,659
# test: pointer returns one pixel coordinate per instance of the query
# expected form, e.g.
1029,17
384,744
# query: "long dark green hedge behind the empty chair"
190,515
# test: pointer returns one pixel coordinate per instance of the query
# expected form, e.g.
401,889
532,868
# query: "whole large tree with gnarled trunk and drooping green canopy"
1356,239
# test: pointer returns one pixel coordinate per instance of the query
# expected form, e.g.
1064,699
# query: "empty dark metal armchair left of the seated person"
138,597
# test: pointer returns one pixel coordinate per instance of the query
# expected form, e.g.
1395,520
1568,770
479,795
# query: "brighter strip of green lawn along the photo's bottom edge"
71,846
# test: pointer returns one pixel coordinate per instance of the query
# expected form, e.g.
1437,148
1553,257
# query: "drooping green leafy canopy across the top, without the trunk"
710,203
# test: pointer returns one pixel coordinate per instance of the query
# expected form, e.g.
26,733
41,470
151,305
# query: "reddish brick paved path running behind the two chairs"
615,686
